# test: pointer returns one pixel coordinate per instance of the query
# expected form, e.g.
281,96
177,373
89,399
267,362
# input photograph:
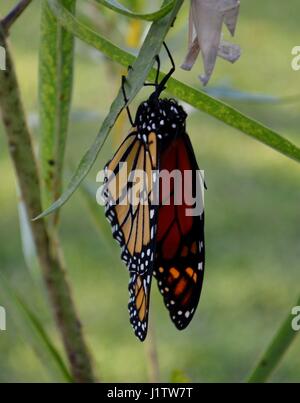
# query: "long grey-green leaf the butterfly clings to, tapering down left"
136,79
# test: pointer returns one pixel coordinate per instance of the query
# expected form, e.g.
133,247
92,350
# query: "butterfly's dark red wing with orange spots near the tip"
179,266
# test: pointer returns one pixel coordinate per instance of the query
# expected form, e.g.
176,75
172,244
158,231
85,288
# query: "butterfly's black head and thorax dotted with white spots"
162,116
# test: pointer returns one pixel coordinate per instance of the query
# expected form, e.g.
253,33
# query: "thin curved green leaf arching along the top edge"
121,9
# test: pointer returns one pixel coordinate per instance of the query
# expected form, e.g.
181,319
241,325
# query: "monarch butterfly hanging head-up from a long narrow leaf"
157,239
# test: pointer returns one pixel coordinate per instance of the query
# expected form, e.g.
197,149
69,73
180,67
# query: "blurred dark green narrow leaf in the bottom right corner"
275,351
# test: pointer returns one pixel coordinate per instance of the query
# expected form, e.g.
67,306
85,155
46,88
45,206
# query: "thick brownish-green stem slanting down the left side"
50,259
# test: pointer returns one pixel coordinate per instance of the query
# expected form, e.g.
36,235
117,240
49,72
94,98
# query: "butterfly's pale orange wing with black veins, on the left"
129,191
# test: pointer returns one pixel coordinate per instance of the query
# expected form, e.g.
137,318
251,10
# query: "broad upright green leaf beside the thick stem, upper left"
55,93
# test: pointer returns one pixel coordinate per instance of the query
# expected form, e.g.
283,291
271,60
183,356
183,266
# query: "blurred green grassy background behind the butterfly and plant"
252,211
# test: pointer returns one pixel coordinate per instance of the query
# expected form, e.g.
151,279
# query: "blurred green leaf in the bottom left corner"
30,328
